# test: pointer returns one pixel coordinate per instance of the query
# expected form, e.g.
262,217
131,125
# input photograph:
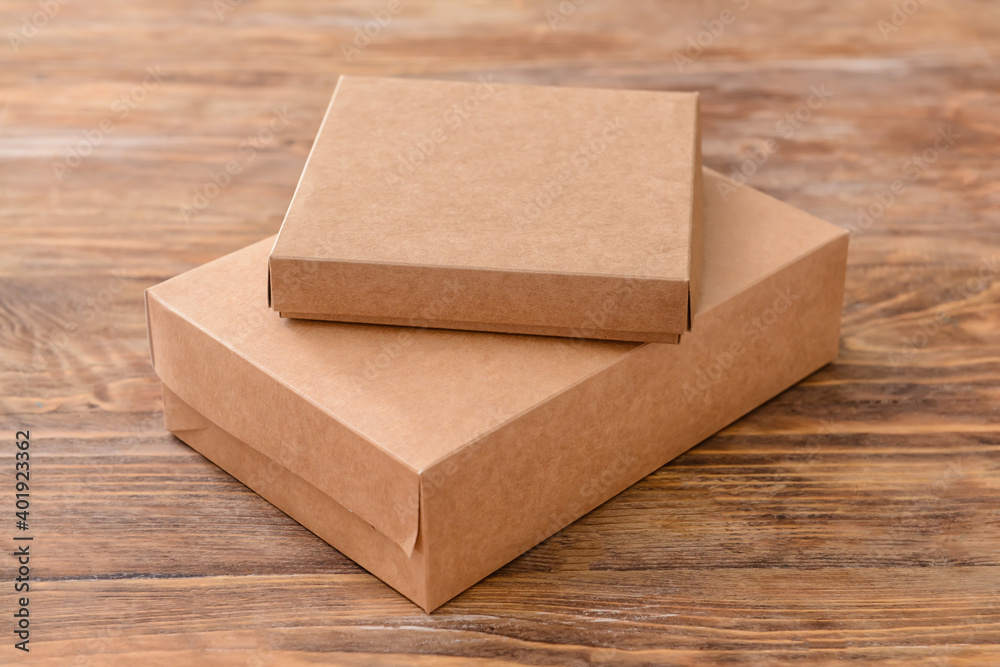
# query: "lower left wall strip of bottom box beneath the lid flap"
299,499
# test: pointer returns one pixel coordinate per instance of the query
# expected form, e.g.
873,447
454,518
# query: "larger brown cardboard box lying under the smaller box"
433,457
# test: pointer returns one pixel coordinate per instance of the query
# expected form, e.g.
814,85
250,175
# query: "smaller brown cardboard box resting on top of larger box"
489,207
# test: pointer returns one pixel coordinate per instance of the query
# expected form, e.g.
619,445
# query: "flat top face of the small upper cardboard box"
505,177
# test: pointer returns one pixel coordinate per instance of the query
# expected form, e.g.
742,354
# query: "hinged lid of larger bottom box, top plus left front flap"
365,410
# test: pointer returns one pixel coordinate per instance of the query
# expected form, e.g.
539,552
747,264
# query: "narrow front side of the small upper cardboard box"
480,300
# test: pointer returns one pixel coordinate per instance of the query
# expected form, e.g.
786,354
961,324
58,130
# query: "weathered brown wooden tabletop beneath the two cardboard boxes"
854,517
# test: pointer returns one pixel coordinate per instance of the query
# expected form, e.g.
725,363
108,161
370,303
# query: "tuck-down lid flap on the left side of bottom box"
274,419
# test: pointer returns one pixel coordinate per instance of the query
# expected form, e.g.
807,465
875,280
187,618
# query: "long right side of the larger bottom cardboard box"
520,484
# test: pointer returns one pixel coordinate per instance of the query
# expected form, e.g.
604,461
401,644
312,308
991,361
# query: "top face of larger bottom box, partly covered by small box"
421,394
